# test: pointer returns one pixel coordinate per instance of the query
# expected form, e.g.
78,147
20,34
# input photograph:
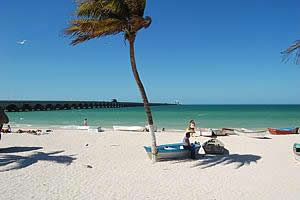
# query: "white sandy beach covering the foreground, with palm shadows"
255,168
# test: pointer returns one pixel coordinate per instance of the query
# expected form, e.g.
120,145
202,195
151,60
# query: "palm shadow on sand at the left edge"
19,162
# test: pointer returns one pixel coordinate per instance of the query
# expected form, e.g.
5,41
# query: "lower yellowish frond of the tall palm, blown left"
86,29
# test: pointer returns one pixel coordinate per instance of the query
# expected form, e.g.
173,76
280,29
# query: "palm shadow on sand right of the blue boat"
226,159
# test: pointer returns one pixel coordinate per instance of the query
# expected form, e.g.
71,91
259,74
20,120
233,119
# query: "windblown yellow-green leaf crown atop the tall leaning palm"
98,18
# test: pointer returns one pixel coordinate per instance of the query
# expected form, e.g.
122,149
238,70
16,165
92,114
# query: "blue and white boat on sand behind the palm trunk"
172,151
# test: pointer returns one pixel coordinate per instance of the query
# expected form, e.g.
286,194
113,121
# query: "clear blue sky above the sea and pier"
206,52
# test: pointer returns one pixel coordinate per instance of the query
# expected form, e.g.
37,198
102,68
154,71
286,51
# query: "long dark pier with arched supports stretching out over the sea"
25,106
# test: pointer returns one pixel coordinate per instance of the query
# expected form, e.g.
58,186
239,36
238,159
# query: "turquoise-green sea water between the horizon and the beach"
172,117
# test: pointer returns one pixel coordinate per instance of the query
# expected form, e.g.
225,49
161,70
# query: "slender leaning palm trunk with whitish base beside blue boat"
144,97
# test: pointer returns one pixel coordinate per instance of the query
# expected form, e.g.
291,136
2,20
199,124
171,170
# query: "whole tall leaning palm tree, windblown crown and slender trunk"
99,18
